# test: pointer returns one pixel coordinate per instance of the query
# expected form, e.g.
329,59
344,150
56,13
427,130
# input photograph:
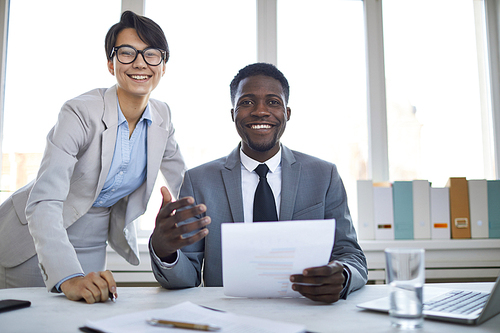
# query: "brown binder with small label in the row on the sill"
459,207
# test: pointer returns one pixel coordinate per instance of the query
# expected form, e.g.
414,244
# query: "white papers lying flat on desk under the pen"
191,313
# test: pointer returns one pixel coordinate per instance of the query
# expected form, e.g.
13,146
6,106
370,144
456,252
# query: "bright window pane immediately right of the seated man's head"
323,59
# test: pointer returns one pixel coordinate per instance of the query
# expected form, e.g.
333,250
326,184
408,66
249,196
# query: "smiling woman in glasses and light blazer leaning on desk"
96,176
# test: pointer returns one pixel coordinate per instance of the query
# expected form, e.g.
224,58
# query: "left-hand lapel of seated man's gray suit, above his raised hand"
231,175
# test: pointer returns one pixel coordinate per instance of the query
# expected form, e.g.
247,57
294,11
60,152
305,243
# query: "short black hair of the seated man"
259,68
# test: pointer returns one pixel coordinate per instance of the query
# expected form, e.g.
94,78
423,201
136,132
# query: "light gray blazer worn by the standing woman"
74,168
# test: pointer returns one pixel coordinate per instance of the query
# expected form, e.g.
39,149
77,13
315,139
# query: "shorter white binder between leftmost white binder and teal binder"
383,213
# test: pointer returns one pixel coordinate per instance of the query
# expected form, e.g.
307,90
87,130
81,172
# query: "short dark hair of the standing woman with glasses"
149,32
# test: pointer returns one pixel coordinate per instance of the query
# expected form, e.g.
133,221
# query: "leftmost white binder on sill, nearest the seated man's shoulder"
366,222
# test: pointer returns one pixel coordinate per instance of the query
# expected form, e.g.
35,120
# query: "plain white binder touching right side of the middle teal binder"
421,209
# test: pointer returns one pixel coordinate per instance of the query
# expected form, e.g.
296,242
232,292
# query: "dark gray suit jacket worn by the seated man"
311,189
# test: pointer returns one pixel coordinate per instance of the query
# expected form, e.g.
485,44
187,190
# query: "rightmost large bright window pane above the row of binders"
434,109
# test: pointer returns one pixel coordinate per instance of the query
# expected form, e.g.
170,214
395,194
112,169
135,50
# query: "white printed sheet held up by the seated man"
258,258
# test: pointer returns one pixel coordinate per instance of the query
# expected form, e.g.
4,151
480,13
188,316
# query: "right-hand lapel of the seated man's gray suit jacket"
290,173
